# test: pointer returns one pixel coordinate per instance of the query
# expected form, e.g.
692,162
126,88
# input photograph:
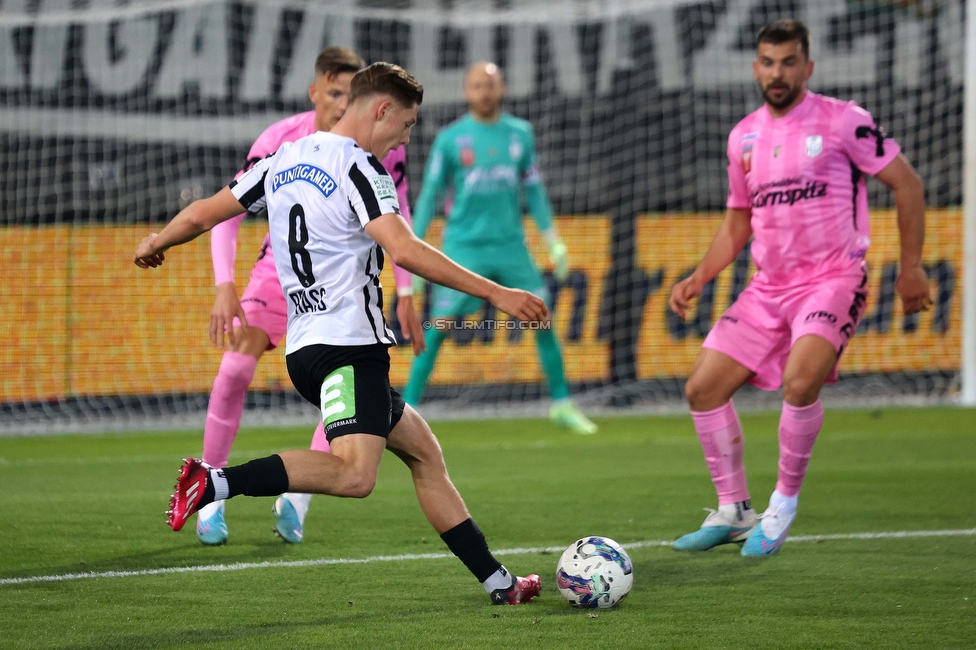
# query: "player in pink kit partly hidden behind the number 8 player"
258,321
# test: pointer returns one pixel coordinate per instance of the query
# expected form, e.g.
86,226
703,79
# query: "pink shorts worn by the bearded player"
759,329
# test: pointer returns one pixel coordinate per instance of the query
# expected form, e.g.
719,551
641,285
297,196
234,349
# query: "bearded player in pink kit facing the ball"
796,185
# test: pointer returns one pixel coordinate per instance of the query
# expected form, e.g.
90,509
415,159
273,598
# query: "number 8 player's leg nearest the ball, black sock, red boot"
414,443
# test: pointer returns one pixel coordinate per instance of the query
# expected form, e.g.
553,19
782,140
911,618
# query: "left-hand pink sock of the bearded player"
722,441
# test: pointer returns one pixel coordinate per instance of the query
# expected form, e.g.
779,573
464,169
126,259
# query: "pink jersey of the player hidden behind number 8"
223,238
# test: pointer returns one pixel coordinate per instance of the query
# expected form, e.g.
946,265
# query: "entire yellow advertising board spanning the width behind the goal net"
83,320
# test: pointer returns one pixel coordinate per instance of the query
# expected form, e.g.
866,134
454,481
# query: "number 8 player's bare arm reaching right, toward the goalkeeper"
392,233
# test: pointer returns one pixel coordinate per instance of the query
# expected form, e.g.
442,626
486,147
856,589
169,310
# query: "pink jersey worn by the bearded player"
802,175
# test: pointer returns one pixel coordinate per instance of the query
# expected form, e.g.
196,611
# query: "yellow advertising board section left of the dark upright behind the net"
83,320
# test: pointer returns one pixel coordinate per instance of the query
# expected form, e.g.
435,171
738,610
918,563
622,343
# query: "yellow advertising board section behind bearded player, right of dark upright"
669,246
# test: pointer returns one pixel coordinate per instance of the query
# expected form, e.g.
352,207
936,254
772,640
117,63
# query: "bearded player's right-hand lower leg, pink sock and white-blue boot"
798,430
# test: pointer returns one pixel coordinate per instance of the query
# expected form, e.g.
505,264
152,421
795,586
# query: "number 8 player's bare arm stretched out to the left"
191,222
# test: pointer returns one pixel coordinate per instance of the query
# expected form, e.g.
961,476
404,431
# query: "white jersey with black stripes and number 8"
320,193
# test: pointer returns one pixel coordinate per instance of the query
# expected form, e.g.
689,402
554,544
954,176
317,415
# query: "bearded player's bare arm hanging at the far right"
913,281
